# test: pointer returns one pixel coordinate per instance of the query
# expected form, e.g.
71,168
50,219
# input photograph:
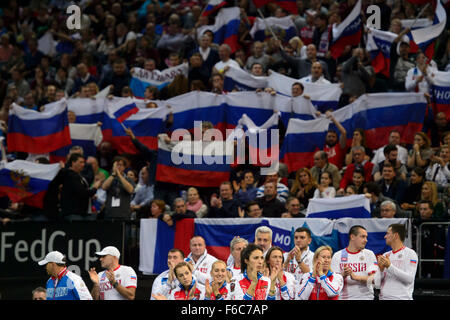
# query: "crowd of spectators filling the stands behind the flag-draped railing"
400,180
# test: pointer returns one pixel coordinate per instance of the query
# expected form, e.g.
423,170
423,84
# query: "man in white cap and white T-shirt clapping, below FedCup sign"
116,282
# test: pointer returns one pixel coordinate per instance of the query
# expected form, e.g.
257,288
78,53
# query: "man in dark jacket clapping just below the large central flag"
226,206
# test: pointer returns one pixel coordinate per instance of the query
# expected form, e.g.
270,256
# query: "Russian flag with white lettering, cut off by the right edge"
440,93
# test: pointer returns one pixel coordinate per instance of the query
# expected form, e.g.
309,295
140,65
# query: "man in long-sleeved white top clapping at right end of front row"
397,268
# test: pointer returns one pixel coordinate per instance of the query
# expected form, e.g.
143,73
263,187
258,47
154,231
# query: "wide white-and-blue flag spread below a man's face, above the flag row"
323,96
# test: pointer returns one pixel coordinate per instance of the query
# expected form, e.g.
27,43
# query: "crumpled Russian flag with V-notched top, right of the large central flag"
262,142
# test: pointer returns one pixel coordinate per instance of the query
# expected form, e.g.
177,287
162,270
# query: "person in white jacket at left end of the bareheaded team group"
167,280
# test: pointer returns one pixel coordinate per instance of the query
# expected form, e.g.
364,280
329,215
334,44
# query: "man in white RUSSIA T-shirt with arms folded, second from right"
357,266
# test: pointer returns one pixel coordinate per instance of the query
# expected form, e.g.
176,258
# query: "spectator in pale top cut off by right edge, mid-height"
439,169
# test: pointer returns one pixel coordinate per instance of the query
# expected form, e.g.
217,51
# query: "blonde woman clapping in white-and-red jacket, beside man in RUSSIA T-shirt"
322,283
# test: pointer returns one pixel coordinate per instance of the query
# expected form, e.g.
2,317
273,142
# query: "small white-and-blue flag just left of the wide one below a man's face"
237,78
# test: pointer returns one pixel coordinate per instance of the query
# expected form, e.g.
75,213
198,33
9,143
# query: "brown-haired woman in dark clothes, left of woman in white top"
304,185
